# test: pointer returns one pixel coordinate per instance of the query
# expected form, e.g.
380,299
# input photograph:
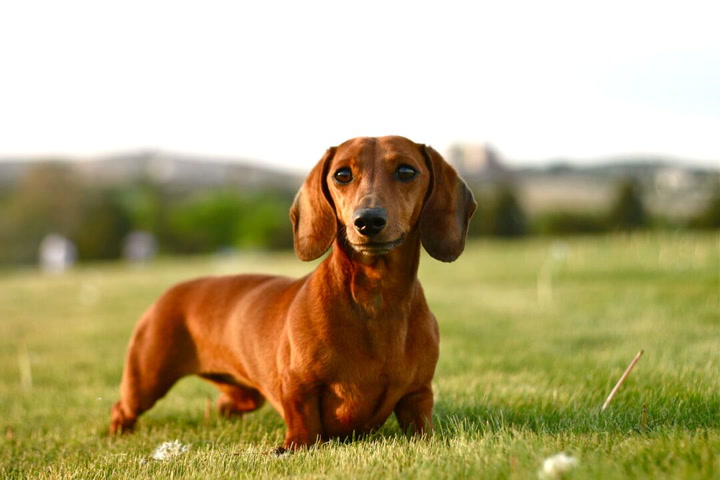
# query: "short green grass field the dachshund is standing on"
534,336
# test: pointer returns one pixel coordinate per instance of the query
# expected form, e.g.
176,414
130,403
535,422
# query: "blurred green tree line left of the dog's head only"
52,199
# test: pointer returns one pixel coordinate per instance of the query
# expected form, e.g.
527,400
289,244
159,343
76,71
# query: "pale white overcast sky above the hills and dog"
281,81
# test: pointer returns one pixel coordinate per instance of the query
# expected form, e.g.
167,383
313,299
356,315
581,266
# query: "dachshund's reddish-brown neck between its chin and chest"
378,282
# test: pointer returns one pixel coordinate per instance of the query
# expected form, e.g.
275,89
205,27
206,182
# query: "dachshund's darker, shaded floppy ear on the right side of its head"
448,207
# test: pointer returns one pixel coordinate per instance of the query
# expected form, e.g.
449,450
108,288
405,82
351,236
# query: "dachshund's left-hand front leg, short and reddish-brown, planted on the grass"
301,410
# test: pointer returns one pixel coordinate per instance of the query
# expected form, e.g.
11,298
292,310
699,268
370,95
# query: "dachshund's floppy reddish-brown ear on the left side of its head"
313,214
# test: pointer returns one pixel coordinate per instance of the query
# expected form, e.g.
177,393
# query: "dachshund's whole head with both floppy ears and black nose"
376,191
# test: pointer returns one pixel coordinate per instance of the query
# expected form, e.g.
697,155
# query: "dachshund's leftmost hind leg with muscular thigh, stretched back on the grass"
160,353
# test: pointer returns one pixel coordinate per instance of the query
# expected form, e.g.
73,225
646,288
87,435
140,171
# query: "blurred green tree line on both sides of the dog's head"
52,199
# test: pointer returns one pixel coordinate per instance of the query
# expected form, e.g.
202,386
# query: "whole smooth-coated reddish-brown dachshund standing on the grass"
335,352
